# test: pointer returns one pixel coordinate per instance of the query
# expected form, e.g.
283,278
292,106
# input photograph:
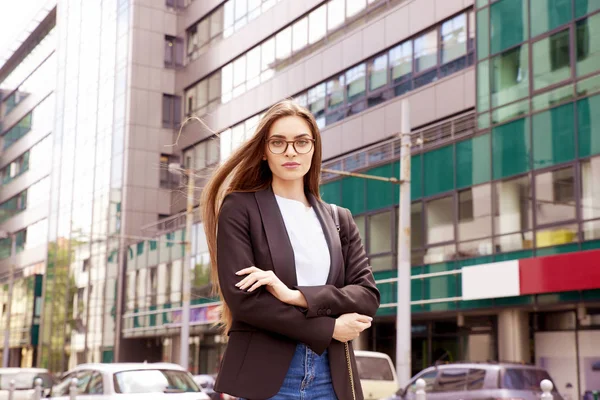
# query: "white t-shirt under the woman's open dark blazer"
311,253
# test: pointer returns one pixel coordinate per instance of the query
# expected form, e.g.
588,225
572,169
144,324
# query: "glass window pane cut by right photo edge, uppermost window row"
588,45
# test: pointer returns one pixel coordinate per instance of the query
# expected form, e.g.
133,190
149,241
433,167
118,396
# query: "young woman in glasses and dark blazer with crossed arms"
294,289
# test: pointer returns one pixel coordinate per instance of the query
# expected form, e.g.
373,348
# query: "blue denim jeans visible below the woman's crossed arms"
308,377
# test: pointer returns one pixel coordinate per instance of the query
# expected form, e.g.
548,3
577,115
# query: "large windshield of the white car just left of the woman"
154,381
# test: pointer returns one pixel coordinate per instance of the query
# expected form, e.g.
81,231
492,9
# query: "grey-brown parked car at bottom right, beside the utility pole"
467,381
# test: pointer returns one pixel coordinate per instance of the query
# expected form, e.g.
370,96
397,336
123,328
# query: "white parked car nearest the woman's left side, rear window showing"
130,381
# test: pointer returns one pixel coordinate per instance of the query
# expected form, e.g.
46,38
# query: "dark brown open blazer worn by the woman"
265,331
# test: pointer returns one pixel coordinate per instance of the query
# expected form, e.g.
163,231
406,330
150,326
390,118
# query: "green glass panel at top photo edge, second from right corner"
549,14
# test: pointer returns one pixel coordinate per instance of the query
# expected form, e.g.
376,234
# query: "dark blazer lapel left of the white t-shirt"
280,247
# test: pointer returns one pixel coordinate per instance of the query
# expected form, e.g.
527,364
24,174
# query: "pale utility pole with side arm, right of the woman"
403,313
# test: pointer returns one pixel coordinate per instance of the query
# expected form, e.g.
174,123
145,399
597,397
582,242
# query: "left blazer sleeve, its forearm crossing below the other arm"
259,308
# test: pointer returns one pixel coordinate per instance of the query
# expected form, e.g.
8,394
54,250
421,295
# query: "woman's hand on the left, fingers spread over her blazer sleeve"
257,277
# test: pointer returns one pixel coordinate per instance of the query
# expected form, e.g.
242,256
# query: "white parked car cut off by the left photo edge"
24,382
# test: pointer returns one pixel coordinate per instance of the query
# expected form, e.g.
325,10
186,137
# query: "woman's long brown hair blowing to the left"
246,171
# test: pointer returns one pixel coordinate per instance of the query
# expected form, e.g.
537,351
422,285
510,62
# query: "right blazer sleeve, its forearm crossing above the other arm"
359,295
